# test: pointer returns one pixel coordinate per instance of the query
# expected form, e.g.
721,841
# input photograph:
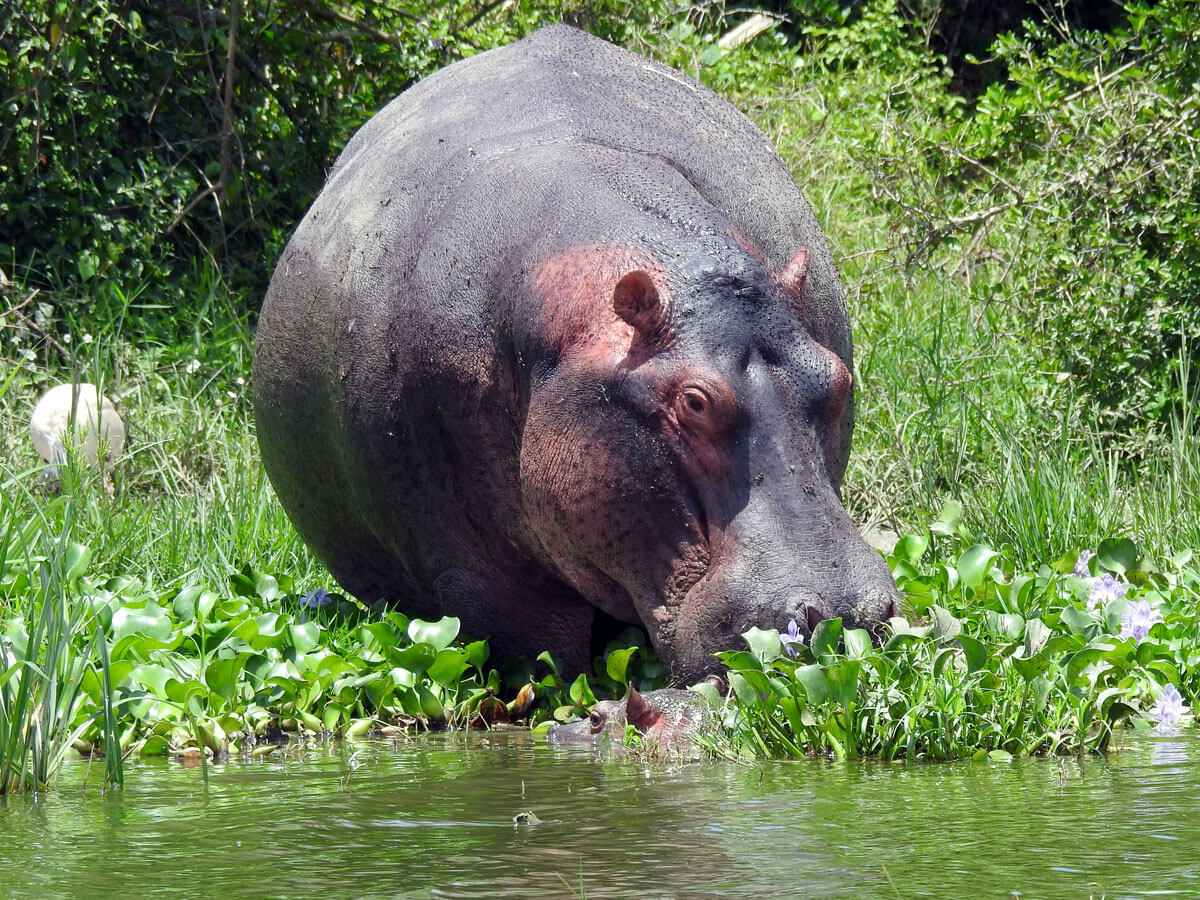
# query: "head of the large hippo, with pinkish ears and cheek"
682,461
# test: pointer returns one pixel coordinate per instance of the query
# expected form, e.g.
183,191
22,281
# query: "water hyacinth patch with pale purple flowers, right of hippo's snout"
995,663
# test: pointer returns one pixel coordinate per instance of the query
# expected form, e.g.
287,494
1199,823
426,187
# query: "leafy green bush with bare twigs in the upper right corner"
1071,197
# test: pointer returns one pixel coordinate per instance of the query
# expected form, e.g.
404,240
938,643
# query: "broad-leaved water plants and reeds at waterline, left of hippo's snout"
95,664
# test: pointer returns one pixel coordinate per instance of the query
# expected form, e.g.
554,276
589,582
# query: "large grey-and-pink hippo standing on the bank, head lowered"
561,344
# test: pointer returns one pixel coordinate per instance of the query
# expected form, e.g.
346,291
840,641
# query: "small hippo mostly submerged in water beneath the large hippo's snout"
668,719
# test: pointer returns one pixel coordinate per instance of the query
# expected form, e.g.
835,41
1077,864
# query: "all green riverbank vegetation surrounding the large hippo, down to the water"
1019,241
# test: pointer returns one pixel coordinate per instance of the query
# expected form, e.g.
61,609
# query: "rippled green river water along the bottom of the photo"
434,817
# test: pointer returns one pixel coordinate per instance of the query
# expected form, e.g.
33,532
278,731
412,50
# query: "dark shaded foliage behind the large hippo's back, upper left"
116,124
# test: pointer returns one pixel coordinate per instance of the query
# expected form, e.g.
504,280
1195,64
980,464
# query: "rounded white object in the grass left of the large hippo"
99,433
